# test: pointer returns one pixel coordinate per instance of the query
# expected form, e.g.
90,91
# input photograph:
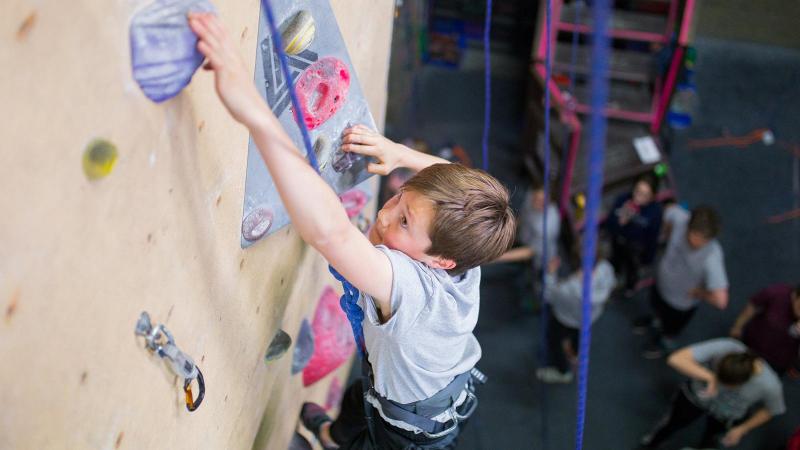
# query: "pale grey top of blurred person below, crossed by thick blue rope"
565,295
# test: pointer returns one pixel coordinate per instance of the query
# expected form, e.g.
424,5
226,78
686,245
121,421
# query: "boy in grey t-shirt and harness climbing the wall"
417,270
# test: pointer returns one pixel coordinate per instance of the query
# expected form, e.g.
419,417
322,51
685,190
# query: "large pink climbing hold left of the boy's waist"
334,338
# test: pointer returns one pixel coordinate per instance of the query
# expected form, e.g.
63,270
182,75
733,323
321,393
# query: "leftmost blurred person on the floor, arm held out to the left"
530,232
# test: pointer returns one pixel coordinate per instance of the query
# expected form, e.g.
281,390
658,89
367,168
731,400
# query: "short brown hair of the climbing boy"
473,222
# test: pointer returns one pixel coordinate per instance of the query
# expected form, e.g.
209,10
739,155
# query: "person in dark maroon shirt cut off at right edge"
770,326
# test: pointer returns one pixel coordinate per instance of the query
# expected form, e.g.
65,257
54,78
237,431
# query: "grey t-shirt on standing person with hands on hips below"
683,268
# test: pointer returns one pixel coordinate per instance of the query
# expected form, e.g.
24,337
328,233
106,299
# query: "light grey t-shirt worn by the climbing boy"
428,340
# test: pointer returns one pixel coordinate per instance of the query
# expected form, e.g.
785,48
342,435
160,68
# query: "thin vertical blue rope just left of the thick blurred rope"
546,185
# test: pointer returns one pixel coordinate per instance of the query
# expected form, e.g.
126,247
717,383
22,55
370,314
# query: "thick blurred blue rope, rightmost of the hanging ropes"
599,88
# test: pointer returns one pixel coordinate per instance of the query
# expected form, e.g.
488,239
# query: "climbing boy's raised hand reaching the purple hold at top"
233,82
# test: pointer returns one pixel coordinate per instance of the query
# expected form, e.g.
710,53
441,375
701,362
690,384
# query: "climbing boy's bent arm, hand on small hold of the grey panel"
390,155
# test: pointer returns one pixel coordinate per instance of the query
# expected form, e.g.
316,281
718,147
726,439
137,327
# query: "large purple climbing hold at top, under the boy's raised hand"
164,52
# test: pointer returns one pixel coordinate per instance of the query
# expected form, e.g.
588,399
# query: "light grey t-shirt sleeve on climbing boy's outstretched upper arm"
409,281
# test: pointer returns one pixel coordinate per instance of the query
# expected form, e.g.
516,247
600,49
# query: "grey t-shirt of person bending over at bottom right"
762,389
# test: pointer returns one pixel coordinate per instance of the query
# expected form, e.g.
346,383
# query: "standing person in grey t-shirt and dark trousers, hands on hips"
692,270
